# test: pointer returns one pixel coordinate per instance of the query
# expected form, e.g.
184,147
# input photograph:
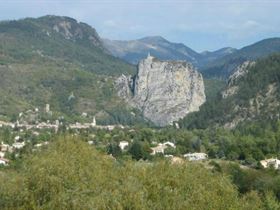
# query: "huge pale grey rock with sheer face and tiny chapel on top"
165,91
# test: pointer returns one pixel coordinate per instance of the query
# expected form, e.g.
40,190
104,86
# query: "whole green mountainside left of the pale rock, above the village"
58,61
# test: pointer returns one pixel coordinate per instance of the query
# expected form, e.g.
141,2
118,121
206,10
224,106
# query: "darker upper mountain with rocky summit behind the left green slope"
56,38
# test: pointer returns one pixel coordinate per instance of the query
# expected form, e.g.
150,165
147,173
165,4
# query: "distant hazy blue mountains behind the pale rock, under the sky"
219,63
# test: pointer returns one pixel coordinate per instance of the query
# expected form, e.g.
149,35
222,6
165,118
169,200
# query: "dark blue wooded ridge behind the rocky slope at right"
223,67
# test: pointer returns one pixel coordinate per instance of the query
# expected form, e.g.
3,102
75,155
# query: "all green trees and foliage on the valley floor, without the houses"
71,174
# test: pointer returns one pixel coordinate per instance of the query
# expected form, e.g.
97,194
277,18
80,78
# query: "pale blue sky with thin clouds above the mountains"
199,24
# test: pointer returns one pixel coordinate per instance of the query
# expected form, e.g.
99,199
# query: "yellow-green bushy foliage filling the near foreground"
72,175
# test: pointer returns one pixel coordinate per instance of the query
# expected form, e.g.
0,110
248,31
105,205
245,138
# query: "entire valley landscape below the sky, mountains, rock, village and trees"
92,123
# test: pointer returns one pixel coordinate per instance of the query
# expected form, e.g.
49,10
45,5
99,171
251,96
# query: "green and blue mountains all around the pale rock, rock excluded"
62,62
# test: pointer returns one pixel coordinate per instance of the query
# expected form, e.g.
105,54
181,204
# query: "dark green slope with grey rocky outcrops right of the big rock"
252,94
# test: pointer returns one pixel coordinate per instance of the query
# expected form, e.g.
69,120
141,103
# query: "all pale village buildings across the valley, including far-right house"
20,127
